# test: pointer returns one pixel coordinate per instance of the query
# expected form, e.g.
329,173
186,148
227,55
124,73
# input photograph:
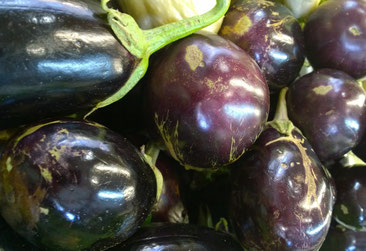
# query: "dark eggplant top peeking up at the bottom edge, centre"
179,237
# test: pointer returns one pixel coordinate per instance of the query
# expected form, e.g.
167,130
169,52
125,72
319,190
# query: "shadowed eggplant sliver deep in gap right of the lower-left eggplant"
170,206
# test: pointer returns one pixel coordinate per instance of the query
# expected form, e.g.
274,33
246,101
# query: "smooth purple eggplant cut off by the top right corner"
335,36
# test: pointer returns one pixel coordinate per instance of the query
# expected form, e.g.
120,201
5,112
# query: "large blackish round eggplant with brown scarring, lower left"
74,185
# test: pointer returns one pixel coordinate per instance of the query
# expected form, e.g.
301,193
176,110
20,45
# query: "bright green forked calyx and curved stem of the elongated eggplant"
143,43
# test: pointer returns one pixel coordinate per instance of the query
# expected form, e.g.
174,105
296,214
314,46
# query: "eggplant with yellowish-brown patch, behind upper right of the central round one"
271,35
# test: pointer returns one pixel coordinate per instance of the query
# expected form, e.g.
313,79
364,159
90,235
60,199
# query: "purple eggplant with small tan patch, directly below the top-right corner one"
329,108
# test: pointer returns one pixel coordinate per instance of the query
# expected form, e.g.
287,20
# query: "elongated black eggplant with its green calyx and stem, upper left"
64,57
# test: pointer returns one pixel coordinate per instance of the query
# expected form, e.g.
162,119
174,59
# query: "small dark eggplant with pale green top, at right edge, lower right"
350,179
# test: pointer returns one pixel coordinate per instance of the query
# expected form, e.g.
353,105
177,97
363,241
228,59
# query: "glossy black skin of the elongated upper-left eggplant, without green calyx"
56,58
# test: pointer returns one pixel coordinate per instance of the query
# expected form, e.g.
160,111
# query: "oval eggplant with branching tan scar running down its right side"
281,196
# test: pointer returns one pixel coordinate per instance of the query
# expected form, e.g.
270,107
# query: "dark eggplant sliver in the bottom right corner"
342,239
